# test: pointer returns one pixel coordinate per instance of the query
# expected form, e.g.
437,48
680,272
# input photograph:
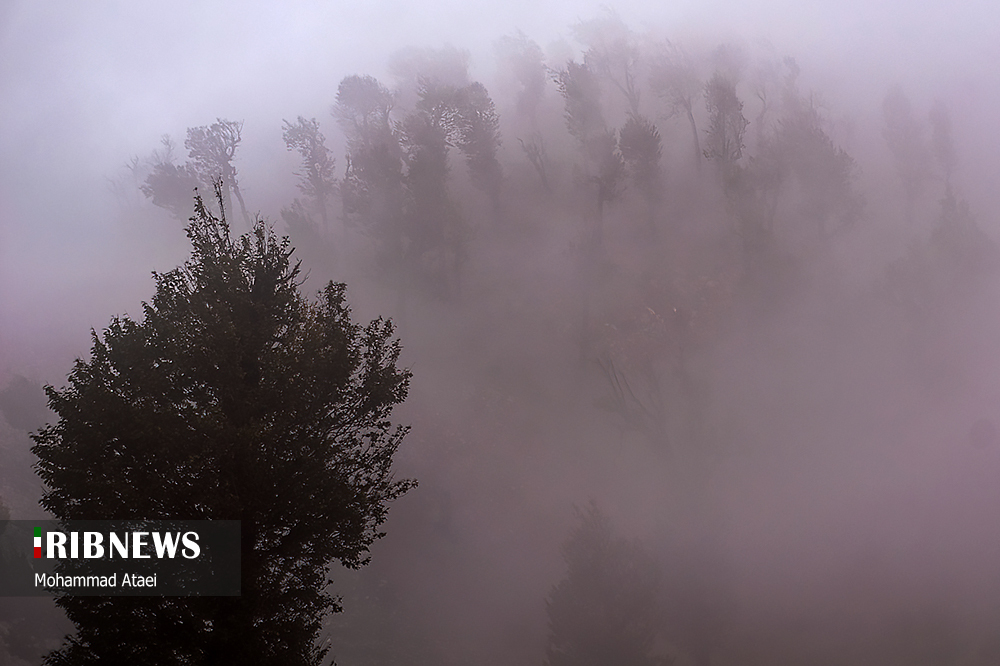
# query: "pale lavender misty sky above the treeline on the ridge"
86,86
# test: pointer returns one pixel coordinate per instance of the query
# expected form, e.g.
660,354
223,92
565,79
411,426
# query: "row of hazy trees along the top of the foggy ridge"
756,141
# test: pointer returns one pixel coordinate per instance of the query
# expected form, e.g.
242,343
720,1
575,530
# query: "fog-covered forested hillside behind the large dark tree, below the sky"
703,350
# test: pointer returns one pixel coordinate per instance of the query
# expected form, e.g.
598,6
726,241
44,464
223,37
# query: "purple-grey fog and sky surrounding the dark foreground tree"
775,368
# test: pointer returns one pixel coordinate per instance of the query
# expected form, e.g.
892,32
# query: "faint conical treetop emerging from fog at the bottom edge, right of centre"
606,610
